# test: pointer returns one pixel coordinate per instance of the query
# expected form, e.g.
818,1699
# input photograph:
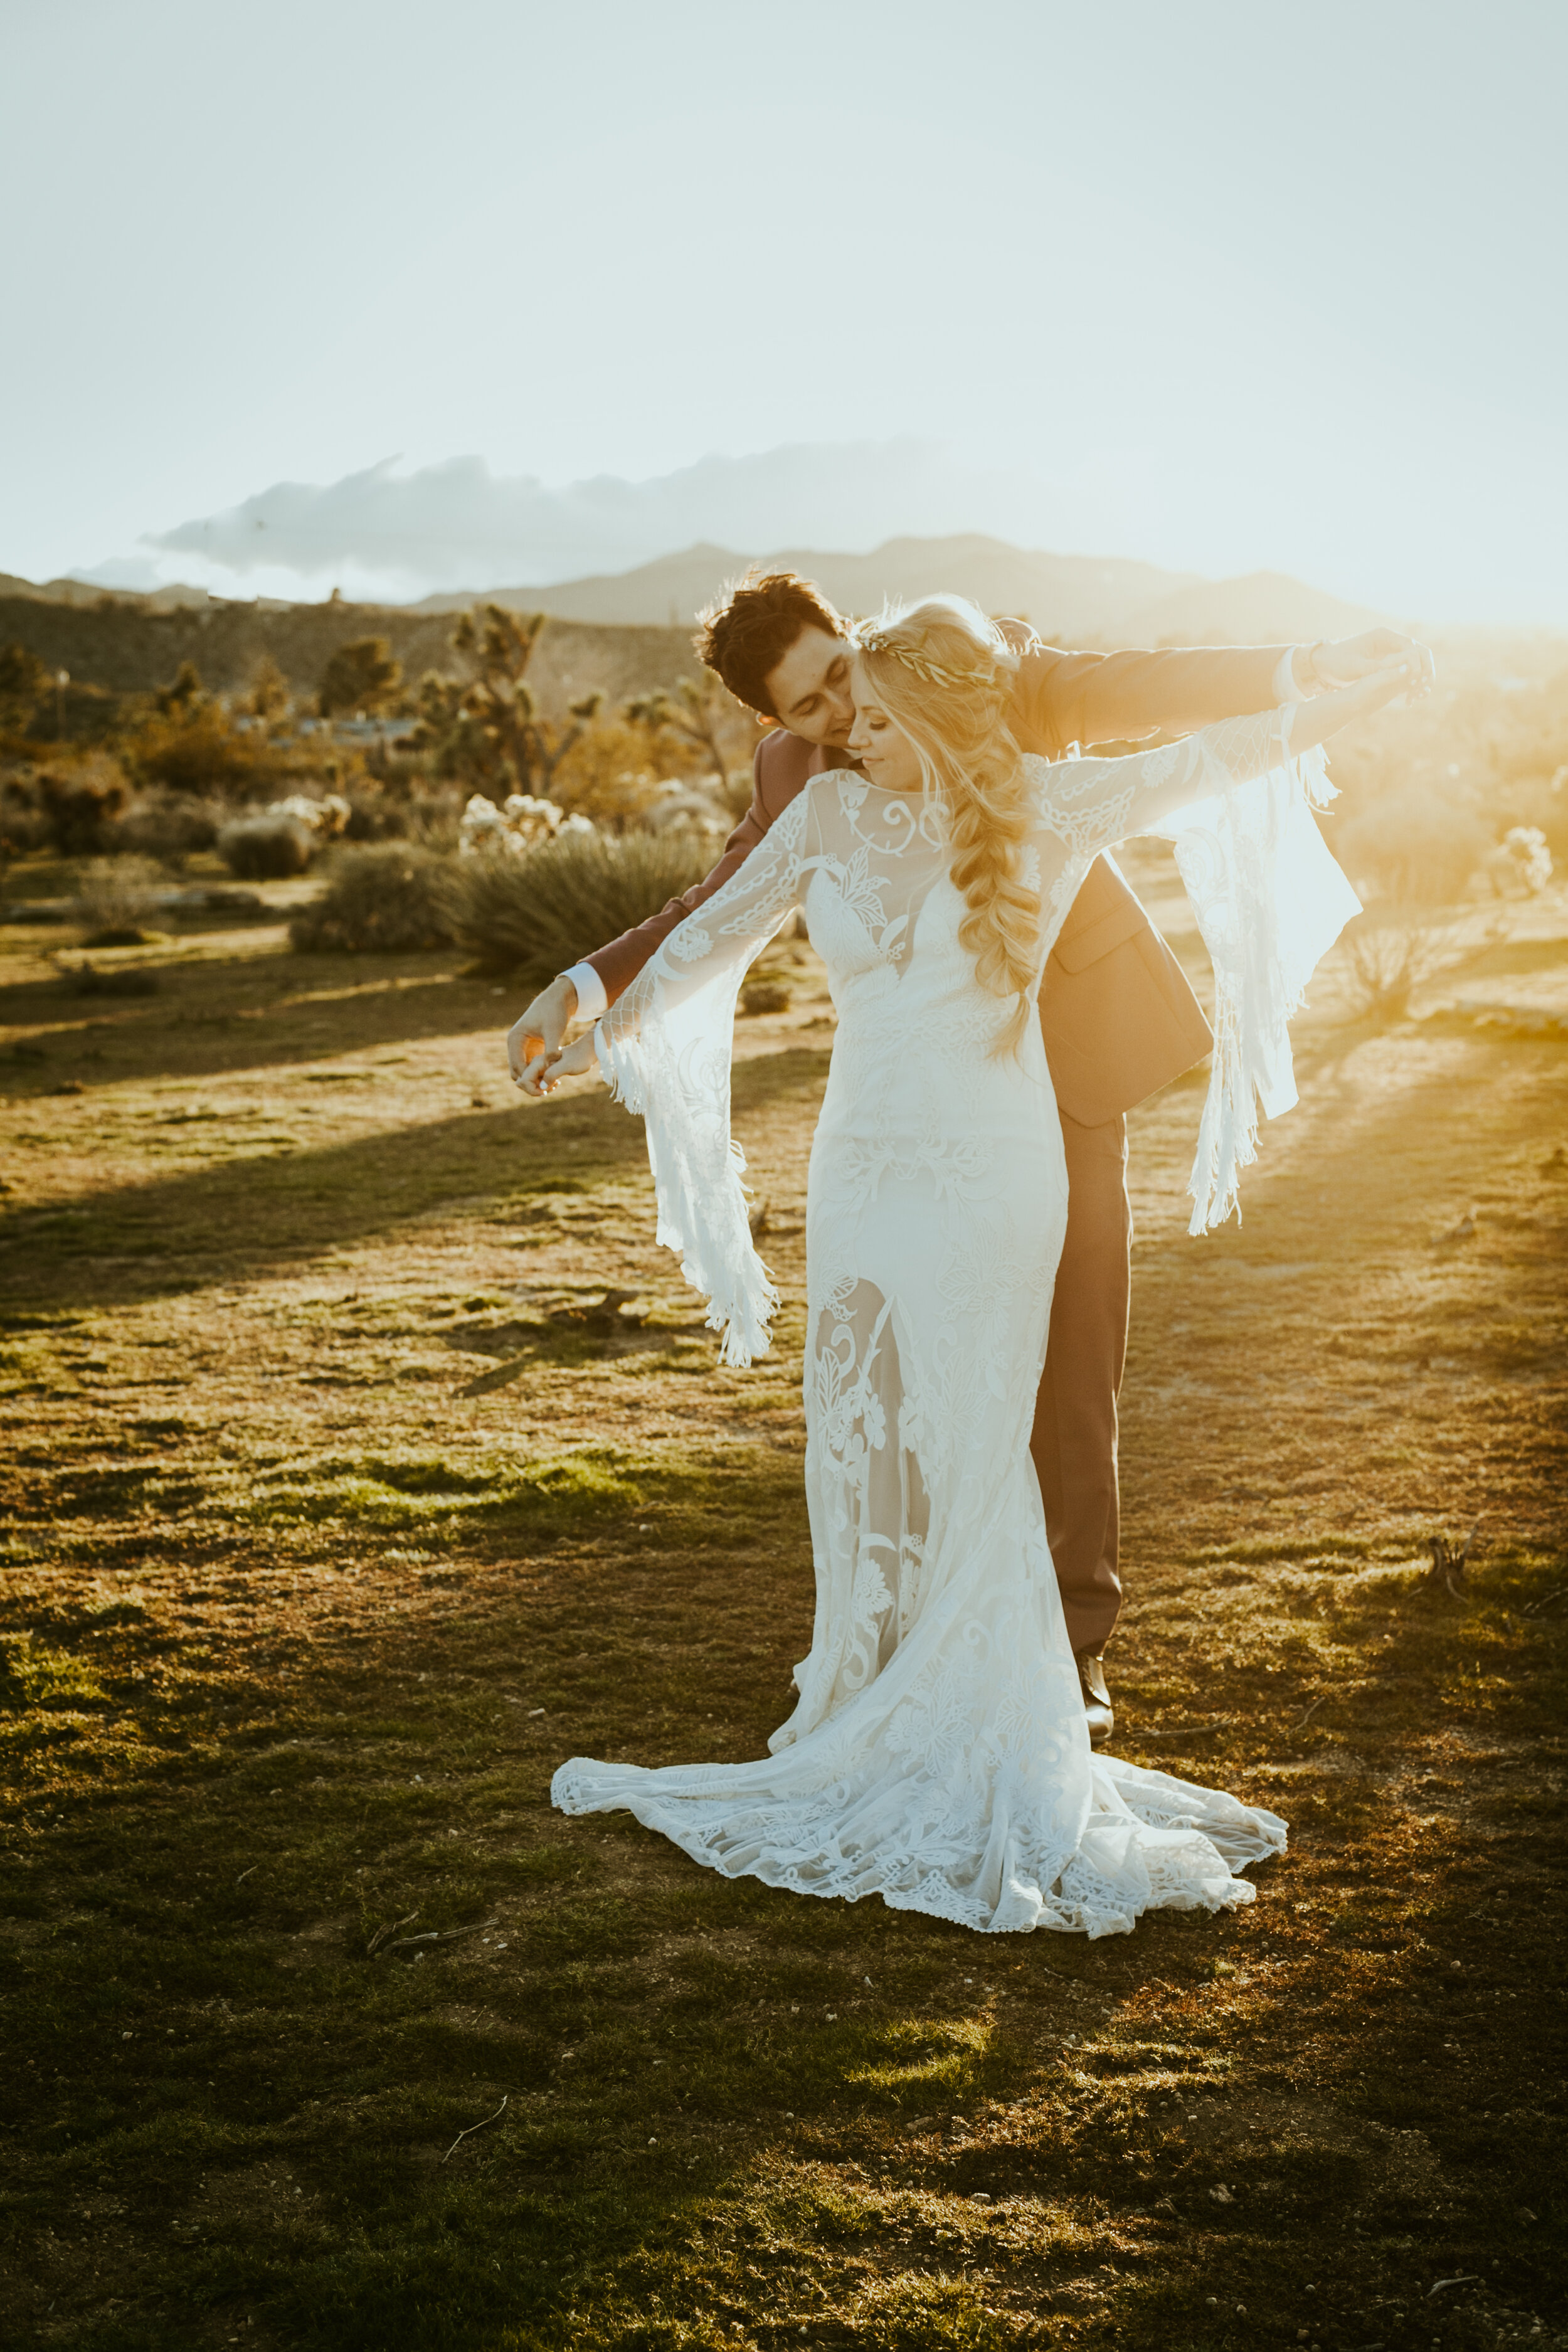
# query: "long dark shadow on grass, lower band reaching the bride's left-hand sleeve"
269,1212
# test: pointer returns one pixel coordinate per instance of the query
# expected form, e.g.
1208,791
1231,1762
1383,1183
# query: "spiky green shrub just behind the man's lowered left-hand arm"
542,911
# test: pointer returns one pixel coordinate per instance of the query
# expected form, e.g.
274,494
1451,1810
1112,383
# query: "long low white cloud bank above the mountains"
460,526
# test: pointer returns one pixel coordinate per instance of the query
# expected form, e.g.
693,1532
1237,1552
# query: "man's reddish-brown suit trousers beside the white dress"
1076,1415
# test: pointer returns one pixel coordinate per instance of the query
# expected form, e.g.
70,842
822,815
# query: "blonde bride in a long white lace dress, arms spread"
939,1751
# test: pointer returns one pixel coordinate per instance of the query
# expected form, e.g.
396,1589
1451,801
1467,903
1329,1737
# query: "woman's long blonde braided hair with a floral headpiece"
944,676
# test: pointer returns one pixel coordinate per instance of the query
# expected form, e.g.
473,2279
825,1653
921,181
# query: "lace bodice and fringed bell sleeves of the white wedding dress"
864,867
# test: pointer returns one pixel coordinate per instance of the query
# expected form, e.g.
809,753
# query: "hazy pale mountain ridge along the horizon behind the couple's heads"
1092,601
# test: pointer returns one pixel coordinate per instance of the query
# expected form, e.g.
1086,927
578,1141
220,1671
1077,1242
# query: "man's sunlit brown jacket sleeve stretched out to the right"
1120,697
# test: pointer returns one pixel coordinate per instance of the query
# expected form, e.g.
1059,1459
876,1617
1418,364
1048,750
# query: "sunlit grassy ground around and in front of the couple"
340,1511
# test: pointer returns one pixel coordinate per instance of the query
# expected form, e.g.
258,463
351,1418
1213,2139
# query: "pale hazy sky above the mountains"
507,293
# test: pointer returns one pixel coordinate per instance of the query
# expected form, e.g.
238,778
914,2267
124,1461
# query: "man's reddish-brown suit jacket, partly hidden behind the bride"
1115,1005
